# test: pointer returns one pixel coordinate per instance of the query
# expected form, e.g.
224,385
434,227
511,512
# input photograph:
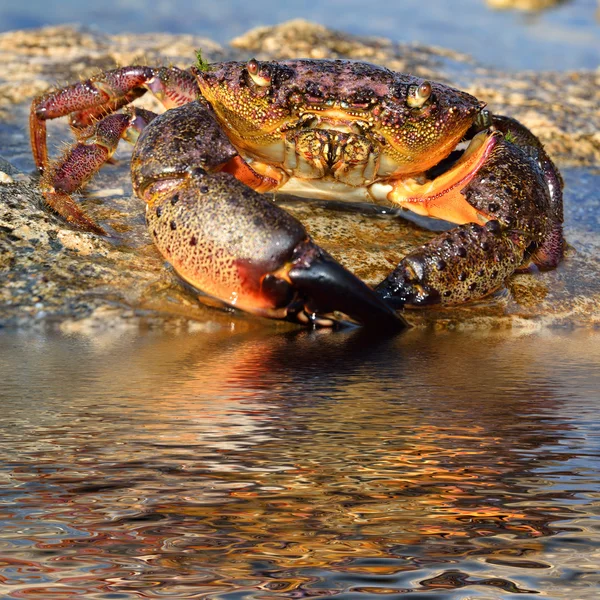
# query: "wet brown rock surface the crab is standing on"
52,274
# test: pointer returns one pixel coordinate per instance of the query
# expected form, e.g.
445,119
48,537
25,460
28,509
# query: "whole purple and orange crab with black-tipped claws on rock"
321,129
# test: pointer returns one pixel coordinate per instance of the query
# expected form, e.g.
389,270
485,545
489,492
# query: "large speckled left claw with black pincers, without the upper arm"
239,247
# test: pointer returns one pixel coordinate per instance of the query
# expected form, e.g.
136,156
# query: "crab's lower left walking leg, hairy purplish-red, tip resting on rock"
81,161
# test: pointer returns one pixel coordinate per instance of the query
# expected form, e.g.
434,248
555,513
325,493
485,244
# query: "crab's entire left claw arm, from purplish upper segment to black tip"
231,242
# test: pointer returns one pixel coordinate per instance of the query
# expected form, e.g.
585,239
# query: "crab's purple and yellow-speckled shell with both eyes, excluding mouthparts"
409,124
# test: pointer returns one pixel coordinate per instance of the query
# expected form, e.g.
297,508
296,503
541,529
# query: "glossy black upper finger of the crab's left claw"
329,287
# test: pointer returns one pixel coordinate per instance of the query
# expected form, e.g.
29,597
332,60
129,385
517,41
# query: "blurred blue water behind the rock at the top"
564,37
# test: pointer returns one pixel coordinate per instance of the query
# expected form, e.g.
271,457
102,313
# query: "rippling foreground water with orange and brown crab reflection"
234,466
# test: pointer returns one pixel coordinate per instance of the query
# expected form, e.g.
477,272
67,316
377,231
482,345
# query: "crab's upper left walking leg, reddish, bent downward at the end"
102,95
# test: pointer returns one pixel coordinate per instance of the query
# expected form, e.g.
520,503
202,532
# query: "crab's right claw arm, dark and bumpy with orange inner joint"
511,222
